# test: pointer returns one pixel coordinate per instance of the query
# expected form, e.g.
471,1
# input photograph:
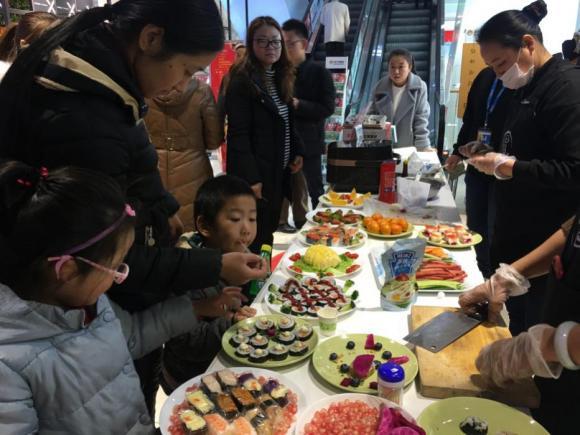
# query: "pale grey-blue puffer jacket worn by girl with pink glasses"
58,376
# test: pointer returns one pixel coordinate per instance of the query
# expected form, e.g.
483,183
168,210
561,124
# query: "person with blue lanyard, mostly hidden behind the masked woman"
492,101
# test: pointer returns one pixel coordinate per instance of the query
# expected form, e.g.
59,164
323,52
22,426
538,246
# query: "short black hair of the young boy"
213,195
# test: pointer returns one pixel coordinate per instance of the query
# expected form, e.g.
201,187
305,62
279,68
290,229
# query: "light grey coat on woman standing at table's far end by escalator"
412,116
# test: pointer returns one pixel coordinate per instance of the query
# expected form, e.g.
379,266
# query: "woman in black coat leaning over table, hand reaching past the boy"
75,97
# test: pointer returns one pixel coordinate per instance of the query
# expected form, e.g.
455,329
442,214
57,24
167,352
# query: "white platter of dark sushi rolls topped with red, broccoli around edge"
302,297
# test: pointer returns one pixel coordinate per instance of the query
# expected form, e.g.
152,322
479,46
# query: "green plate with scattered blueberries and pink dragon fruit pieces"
349,362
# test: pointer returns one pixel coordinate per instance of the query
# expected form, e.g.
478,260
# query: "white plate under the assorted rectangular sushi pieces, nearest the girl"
178,395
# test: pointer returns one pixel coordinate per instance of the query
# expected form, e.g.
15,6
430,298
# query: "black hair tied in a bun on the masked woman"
509,27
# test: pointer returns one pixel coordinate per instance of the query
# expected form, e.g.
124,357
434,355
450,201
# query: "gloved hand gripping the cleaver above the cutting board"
505,282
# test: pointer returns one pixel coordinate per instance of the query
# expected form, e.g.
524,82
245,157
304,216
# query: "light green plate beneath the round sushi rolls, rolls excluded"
231,351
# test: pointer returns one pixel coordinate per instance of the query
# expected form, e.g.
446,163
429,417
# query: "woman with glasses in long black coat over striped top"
263,148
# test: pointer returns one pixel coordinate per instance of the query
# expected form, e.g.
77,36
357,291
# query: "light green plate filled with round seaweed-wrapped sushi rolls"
277,341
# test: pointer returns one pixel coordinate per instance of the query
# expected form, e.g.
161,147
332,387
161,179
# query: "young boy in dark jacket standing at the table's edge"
225,218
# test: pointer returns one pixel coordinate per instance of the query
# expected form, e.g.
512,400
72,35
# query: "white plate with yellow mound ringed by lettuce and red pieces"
322,261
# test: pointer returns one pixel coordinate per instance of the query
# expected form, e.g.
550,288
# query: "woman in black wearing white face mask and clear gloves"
538,166
